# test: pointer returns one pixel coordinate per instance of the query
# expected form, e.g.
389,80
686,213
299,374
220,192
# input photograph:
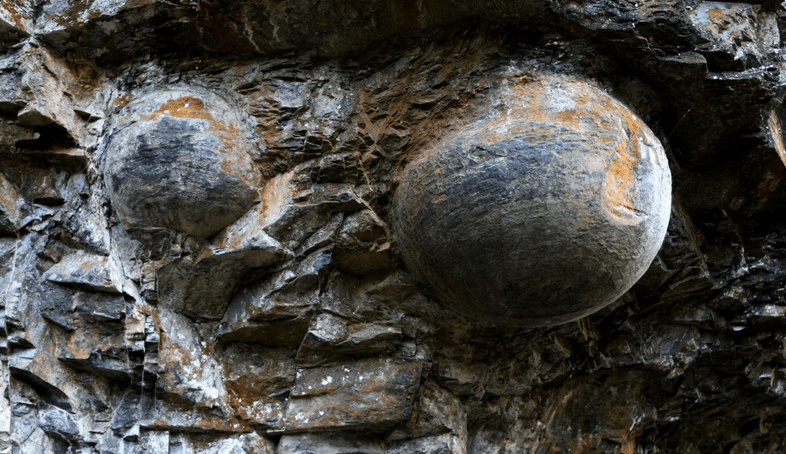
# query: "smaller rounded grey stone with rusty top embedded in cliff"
179,159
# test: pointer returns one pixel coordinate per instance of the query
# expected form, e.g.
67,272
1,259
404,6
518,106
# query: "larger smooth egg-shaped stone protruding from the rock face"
542,213
